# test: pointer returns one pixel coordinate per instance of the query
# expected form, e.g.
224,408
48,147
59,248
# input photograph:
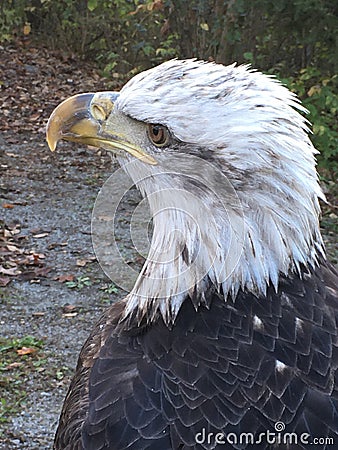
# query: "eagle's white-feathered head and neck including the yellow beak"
224,158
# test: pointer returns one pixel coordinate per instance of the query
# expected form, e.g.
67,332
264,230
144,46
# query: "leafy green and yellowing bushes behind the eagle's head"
296,40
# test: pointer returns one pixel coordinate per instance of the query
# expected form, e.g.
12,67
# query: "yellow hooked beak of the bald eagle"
82,118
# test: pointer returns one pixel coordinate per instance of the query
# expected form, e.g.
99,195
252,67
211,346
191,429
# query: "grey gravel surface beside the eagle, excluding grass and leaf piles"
49,198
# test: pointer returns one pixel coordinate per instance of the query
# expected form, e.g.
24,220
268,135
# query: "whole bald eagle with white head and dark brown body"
229,337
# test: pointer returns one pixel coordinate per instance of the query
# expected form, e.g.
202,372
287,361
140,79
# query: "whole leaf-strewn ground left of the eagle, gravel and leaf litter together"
52,289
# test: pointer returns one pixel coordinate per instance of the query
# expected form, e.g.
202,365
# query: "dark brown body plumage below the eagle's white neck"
230,367
